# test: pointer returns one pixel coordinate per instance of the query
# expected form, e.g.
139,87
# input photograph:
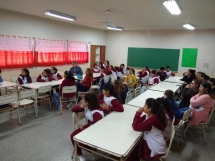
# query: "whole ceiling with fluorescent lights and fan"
135,14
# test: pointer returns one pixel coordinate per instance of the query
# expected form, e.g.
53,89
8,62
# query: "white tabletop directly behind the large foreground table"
140,100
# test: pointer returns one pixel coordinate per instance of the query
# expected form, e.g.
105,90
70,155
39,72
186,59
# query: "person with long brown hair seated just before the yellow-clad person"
120,90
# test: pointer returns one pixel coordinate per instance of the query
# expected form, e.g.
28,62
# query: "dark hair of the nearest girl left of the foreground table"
93,102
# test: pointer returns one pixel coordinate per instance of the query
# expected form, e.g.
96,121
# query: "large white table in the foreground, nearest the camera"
113,134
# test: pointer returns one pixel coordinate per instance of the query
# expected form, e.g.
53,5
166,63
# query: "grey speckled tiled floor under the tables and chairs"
47,138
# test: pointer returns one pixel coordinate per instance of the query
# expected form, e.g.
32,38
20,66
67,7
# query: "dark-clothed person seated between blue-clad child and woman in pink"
189,91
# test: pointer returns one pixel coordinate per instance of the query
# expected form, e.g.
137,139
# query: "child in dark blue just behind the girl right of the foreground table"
168,94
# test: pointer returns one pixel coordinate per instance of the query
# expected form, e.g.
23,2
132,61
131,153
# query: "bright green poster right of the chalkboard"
189,57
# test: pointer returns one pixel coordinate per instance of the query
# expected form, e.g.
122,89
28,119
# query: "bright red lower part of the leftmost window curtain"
16,59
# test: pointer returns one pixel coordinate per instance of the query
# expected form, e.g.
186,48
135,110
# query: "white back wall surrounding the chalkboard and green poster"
118,43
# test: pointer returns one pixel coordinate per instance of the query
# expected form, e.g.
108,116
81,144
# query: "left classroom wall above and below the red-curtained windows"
18,24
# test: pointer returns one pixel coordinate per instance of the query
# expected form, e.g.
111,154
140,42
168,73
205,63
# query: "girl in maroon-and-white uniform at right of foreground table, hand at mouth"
152,124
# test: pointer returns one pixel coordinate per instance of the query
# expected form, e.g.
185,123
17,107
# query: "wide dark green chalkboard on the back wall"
153,58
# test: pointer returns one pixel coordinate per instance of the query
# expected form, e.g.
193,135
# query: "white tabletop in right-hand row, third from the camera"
163,86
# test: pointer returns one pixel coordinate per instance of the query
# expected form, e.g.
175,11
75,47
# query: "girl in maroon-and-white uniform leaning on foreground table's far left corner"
108,101
